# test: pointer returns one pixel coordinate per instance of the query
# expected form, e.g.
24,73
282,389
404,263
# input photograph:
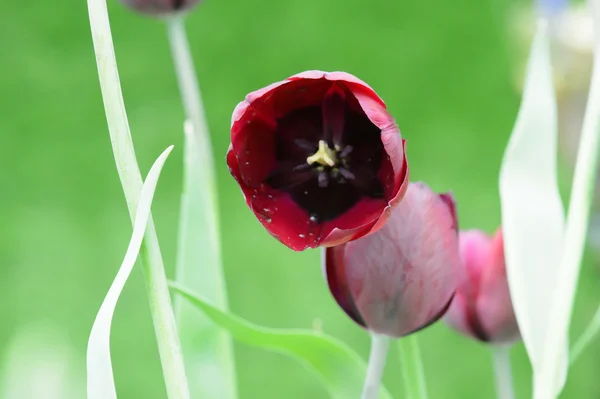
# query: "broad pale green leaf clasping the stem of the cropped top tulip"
207,349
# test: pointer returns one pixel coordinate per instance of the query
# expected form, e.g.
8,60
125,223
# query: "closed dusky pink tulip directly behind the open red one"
402,278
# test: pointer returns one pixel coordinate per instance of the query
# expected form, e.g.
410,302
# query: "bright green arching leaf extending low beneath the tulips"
339,367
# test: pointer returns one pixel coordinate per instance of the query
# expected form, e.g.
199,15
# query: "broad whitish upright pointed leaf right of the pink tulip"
532,211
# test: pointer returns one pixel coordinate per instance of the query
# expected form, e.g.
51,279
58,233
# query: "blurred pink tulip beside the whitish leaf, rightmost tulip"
482,308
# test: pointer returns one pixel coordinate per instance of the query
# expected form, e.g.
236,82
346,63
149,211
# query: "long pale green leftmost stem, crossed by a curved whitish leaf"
131,180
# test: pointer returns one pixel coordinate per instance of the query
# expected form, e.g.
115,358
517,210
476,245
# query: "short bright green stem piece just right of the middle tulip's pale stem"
412,368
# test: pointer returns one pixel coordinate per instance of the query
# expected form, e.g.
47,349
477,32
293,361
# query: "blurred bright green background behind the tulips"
444,69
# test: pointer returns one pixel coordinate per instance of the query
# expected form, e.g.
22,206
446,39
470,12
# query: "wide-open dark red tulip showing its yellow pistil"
319,159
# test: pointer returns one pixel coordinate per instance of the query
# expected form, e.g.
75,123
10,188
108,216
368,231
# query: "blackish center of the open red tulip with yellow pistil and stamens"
328,156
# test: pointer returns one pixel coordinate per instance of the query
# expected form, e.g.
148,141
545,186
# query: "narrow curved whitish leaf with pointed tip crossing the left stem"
100,381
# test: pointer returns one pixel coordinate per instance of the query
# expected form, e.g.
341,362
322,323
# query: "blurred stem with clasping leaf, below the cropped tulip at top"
199,261
